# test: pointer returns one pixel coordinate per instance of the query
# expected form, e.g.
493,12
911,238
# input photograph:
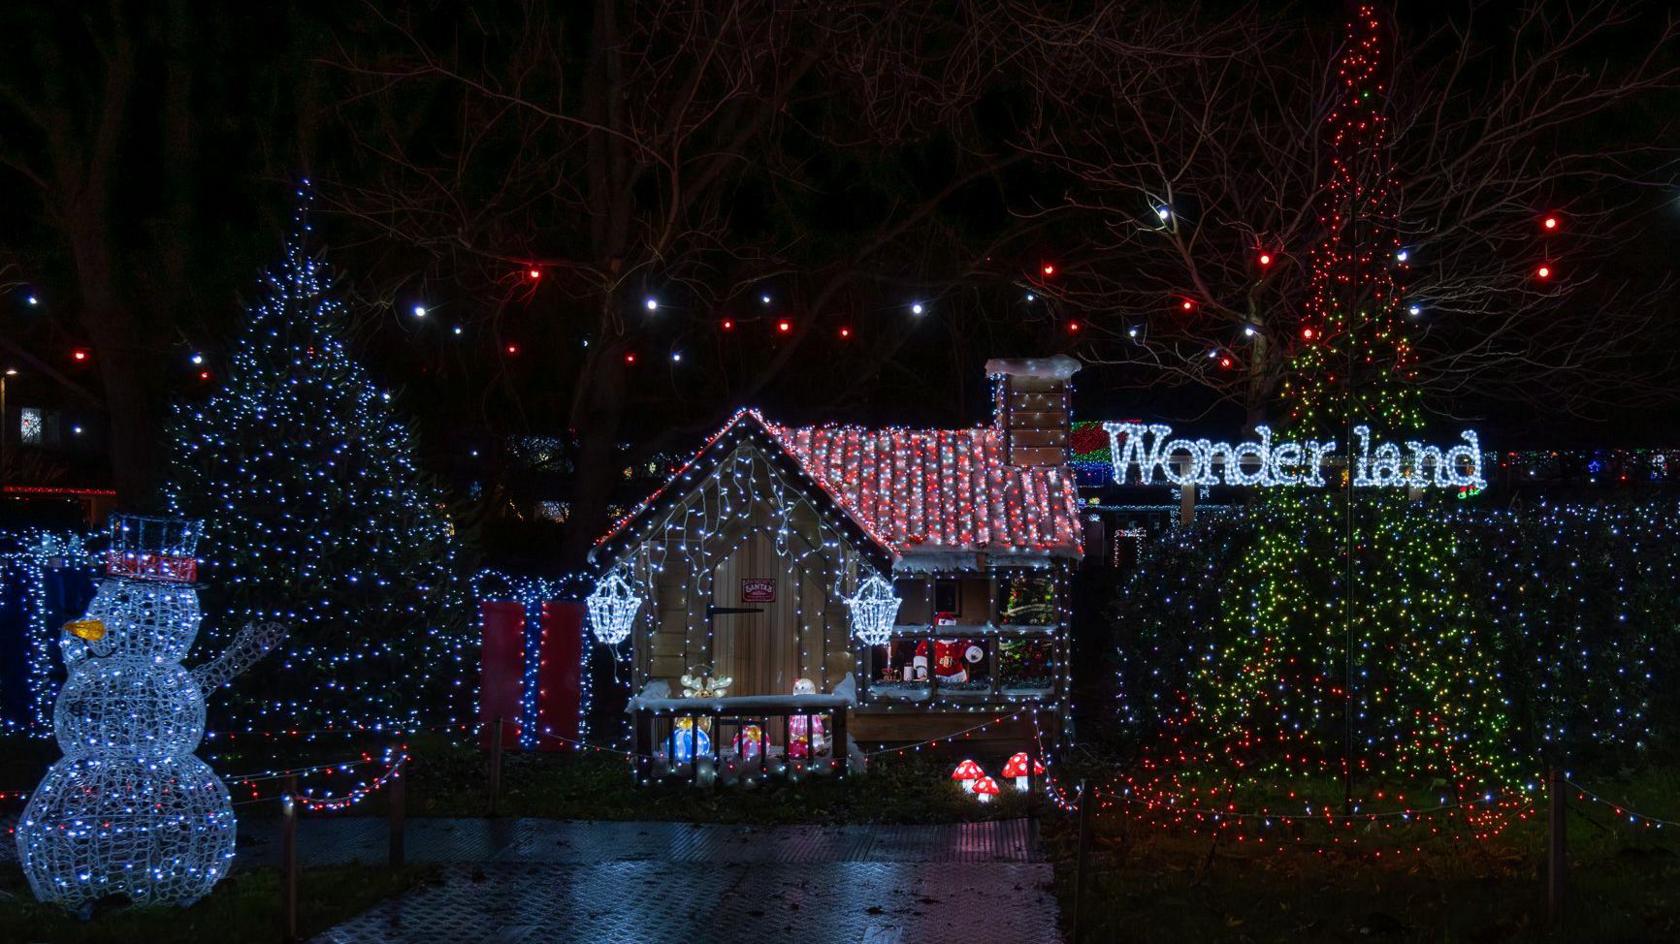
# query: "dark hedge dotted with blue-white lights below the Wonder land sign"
1575,611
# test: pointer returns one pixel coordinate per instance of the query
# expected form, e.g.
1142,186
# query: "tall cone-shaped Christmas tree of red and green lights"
1348,669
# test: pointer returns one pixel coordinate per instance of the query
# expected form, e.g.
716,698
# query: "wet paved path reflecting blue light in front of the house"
515,881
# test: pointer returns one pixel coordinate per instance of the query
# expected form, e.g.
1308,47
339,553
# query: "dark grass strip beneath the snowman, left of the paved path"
244,908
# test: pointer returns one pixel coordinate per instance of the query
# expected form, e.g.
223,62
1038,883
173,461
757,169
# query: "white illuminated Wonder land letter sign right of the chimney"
1266,464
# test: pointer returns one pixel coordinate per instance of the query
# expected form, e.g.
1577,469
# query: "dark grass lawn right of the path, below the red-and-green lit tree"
1153,886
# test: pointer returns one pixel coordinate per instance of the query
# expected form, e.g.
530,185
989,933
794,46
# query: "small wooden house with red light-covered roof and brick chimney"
797,590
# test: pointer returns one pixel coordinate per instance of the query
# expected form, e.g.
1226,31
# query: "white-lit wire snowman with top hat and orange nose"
130,812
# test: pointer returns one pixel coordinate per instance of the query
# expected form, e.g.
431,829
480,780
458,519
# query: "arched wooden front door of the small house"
759,651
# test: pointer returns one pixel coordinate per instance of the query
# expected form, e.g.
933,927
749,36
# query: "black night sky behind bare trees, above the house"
878,159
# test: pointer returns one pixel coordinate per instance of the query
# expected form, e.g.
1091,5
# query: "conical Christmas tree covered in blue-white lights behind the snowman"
318,515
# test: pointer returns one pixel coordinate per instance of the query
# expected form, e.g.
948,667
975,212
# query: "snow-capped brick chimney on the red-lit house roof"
1032,407
